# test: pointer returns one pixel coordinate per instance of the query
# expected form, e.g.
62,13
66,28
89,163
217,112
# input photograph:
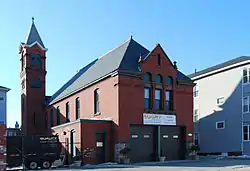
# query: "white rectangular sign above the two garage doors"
158,119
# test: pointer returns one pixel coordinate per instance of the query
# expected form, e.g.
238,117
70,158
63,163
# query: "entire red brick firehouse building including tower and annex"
129,97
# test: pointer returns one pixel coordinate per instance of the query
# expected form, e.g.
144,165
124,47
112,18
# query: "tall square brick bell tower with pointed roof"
32,79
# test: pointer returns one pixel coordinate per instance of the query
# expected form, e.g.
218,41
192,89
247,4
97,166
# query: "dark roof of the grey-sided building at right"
219,66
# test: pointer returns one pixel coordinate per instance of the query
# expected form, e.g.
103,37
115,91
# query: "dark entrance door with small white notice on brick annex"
100,147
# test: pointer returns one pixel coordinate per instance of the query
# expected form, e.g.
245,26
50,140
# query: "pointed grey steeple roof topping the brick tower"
33,36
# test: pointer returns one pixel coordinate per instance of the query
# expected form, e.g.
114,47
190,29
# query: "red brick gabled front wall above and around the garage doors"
131,95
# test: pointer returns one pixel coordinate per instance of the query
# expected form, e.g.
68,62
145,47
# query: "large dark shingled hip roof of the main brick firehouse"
123,58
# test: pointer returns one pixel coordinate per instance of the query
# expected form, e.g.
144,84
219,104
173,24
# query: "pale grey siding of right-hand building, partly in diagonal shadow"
226,84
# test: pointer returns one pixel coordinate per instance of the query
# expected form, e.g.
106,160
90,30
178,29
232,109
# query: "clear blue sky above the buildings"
197,34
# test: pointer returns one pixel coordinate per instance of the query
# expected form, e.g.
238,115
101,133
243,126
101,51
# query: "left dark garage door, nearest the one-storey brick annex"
142,143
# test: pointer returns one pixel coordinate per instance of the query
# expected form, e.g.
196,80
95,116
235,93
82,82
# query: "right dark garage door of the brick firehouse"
172,142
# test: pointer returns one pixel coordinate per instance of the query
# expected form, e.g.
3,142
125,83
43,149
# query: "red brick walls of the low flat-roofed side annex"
85,136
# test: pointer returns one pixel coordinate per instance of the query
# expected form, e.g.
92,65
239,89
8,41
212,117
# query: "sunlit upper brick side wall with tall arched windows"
108,102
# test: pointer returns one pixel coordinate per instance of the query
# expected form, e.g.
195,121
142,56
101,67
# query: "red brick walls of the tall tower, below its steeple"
34,97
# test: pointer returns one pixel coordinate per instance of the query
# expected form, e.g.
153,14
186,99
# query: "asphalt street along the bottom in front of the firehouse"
207,165
